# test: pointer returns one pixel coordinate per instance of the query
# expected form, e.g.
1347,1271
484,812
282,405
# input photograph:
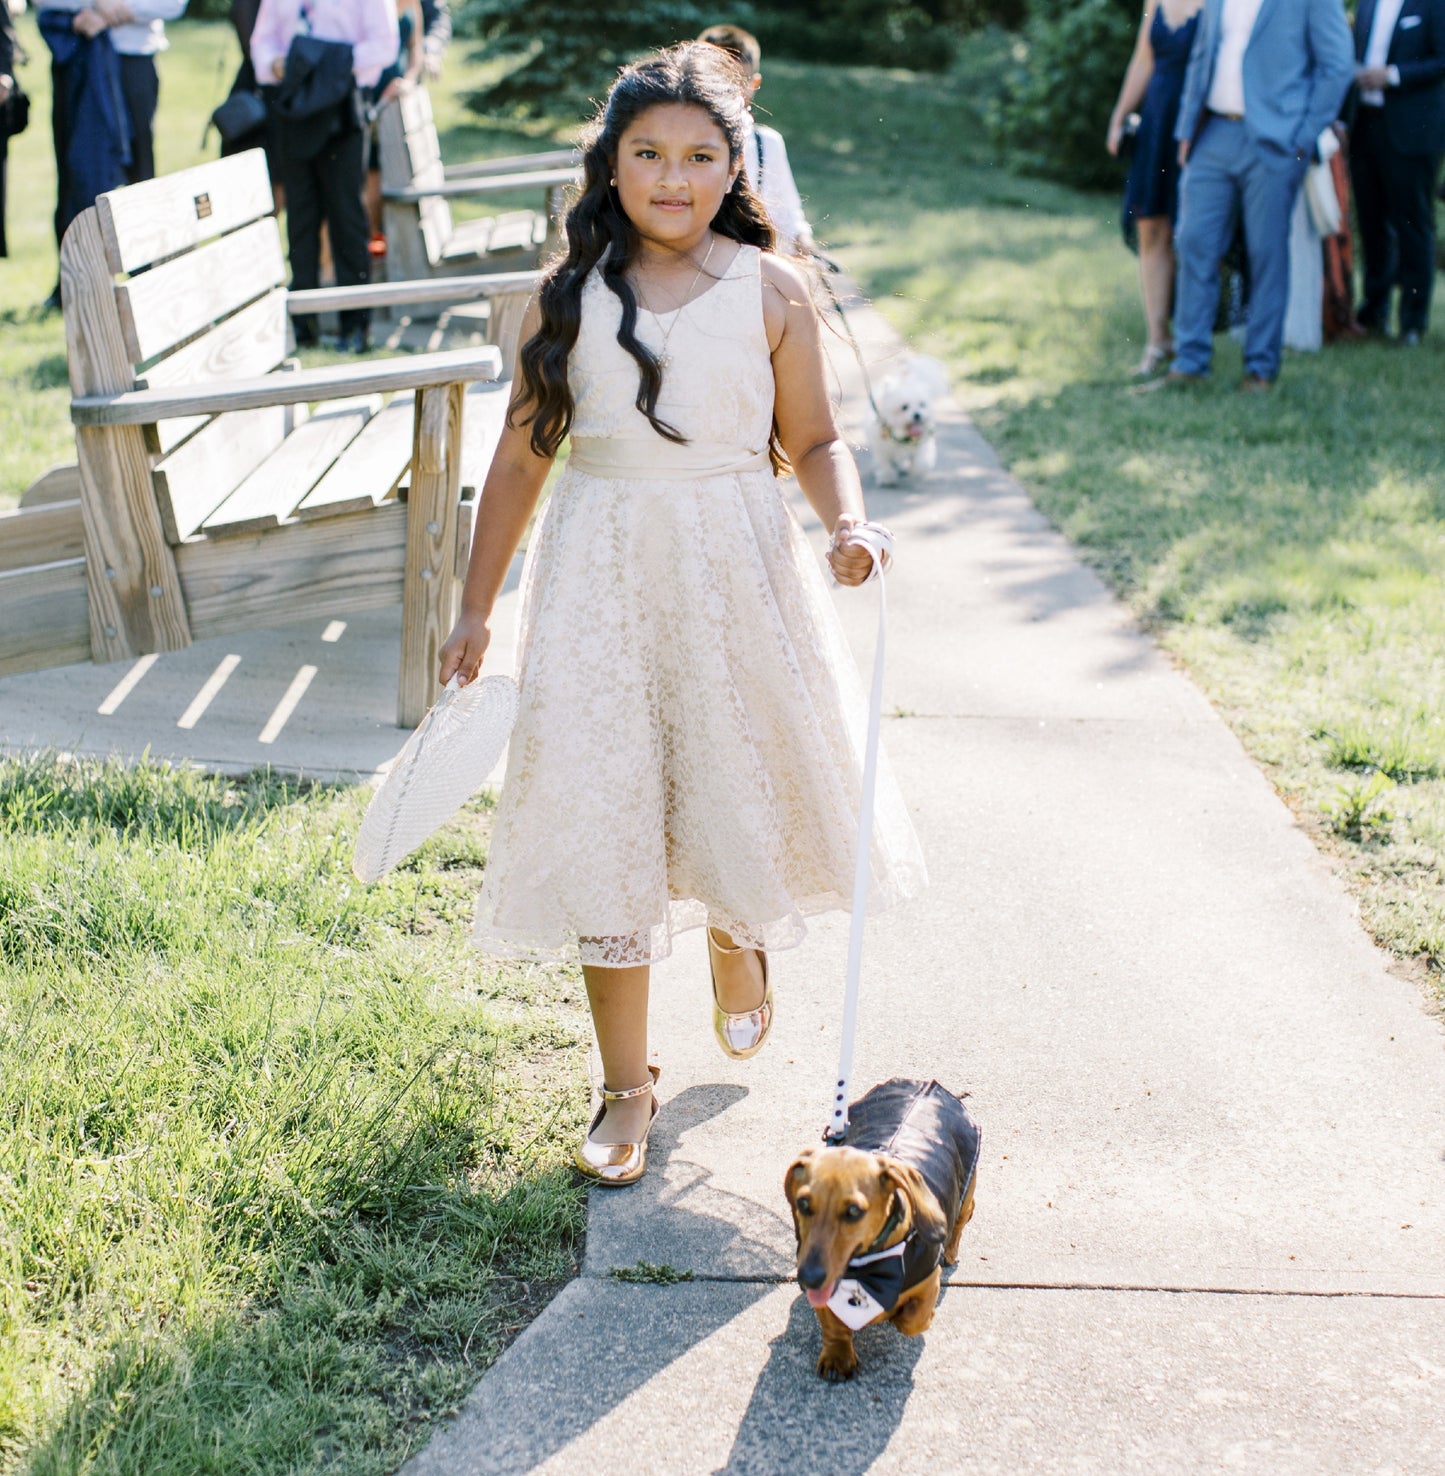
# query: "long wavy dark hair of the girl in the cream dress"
599,231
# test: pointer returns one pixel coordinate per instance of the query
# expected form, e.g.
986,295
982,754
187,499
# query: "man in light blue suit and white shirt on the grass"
1266,79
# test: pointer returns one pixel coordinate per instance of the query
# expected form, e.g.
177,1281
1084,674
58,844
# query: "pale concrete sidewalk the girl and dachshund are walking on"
1211,1217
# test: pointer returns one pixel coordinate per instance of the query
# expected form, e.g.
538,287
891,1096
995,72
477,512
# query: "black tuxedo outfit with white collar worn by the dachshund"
926,1127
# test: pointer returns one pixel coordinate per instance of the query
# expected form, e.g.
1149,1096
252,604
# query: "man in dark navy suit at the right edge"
1396,154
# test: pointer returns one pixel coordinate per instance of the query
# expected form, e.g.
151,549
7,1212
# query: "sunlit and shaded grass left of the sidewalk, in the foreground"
283,1164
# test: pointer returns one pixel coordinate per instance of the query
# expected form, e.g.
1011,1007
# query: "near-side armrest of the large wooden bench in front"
414,373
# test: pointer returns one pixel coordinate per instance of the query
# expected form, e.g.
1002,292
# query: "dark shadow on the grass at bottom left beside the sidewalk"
364,1344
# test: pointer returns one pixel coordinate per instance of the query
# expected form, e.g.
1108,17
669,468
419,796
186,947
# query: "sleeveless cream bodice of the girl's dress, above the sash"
718,386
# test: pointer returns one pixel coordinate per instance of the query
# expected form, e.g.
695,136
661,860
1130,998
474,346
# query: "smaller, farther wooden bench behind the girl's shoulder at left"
423,240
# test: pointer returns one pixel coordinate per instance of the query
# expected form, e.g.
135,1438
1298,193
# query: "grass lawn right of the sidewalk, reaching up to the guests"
1289,551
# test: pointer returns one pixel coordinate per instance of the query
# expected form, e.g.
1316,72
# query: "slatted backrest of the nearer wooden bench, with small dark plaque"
172,283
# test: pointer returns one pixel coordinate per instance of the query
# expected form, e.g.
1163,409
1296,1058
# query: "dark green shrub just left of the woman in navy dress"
1053,108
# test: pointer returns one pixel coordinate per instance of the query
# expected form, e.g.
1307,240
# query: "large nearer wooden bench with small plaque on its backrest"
209,498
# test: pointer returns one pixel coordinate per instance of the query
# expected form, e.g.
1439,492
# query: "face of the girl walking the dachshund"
674,172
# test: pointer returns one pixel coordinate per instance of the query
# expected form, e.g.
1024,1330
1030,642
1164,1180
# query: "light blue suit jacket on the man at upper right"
1298,67
